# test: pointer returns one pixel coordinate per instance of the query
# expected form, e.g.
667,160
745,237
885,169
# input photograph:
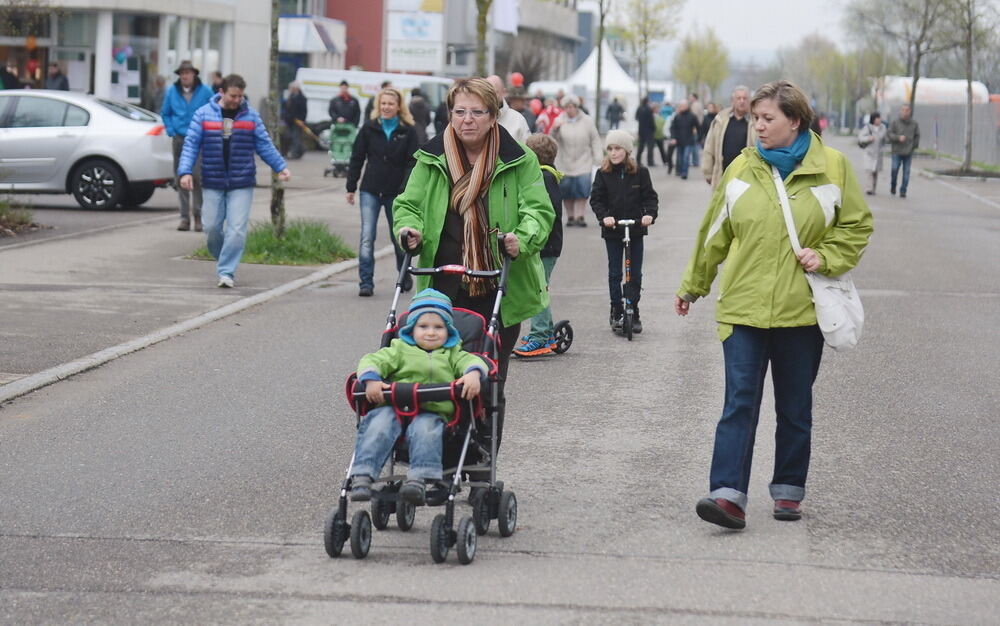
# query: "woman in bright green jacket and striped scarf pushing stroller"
471,182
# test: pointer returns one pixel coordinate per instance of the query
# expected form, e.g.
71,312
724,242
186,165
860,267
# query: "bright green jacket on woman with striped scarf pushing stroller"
518,203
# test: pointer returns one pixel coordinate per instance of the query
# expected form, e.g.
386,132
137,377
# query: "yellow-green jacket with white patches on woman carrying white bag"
763,285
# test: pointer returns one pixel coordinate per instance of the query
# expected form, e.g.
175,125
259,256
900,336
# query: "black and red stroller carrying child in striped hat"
469,452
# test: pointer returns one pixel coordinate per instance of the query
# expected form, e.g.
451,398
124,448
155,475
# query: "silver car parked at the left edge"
105,153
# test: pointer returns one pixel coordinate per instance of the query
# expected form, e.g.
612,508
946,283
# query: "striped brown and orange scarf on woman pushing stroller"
469,185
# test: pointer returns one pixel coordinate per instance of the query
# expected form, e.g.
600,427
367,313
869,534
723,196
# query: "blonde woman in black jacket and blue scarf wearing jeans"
386,143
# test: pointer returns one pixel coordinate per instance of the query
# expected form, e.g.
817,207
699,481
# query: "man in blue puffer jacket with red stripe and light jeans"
227,133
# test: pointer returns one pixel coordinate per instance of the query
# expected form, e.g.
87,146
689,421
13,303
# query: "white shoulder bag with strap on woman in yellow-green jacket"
839,312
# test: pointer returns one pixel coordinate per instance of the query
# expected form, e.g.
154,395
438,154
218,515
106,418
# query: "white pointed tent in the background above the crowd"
615,83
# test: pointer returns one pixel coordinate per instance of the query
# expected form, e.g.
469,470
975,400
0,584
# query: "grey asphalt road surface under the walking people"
189,482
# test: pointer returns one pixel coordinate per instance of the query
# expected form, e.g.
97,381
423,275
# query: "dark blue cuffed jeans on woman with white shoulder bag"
794,356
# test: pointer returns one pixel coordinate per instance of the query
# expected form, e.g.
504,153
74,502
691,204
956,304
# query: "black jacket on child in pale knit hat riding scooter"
623,196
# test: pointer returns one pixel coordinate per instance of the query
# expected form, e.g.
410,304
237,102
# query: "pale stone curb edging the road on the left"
55,374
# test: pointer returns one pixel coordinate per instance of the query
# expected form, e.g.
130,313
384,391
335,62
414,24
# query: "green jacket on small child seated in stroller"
402,363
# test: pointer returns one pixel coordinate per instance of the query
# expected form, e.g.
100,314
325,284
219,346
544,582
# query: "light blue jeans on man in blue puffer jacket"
225,216
